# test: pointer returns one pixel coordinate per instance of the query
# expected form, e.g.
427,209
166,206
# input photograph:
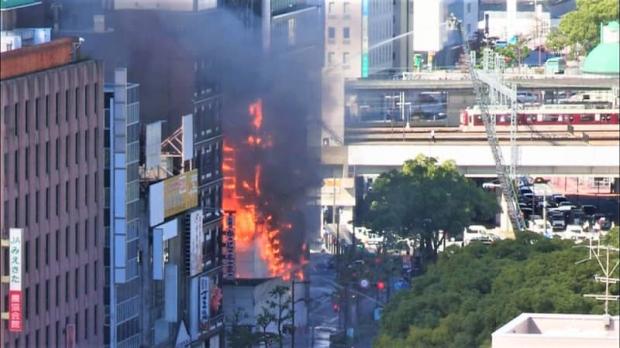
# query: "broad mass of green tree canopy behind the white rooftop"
472,291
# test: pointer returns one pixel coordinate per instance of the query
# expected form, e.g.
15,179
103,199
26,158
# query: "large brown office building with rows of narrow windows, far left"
51,106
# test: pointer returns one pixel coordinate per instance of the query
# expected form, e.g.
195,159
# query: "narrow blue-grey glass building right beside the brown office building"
125,230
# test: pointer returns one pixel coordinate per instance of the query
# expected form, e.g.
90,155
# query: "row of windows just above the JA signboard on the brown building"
41,201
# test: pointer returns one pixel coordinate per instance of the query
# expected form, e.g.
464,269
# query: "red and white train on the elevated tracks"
546,116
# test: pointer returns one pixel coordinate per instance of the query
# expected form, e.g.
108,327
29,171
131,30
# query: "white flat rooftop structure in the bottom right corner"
540,330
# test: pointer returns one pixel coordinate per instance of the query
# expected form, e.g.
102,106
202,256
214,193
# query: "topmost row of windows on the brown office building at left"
41,107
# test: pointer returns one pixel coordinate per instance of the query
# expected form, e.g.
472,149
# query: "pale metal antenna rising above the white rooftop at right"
606,268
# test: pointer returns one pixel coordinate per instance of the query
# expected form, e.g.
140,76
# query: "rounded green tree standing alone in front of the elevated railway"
424,198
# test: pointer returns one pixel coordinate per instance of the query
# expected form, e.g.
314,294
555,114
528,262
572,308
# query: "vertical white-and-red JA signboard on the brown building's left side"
15,280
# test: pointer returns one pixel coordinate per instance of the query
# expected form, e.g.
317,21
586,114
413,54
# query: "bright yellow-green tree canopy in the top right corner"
579,29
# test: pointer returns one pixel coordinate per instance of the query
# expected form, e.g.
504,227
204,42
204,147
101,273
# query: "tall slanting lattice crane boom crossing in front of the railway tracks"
481,89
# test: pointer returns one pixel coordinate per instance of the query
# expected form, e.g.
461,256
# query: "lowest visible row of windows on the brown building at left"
60,335
